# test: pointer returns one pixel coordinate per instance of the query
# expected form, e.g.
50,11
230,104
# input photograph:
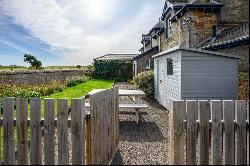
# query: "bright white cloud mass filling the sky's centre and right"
83,28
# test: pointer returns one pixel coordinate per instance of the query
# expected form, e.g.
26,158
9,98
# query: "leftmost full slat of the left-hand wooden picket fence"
8,126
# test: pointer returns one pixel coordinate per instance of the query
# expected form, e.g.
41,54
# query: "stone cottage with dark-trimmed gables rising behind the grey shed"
221,25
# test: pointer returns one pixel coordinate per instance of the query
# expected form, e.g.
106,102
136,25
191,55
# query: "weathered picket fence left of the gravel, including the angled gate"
94,132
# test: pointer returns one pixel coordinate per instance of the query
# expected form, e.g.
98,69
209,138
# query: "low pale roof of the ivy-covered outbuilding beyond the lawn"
127,57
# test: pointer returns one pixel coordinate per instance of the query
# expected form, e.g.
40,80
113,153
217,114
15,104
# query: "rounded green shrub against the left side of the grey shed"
145,82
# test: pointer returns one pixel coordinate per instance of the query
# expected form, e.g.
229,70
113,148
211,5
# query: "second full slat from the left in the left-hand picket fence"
22,131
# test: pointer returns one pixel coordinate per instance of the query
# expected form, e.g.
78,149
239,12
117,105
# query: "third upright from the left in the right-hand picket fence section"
204,112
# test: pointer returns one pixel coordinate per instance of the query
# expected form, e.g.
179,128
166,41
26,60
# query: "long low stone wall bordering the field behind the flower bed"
39,77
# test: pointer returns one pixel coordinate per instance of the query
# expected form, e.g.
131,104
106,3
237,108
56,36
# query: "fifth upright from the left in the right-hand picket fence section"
228,132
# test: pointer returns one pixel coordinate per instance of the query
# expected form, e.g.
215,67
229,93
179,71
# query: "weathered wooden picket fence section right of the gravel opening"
209,132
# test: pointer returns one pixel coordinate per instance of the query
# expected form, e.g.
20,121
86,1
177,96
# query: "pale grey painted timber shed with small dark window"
194,74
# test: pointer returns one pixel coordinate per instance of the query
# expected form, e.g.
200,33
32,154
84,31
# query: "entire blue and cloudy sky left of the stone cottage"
70,32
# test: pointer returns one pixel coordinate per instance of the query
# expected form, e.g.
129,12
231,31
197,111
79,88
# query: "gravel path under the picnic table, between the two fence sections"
145,143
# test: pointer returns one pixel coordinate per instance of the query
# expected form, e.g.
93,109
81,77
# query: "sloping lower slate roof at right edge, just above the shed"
226,38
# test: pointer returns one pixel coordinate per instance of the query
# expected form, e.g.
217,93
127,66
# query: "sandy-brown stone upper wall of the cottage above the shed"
200,29
